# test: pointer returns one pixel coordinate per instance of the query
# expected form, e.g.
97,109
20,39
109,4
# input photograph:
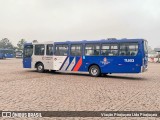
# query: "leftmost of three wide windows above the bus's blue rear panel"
92,49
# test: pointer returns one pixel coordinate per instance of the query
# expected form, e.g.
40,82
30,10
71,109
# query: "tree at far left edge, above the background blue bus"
6,44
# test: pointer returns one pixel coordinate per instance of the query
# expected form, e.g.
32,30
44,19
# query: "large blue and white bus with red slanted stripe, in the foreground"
96,57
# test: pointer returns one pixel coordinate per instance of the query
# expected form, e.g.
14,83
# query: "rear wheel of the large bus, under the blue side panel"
94,71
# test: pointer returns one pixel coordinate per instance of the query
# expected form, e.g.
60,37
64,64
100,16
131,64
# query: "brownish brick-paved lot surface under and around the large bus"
25,89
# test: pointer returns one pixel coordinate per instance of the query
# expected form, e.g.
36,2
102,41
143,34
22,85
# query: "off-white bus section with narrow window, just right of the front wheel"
49,57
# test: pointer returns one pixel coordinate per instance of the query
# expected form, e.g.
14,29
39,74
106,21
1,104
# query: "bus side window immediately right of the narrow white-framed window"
61,50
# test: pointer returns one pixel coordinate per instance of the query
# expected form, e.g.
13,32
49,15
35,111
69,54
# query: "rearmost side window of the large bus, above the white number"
128,49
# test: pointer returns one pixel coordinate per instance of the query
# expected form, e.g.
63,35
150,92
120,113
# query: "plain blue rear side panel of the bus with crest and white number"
113,64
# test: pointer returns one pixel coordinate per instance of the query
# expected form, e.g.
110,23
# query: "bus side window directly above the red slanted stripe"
76,50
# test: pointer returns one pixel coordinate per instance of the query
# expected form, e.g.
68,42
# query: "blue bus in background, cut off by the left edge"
7,53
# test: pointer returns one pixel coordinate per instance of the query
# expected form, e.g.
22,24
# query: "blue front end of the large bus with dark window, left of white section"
27,57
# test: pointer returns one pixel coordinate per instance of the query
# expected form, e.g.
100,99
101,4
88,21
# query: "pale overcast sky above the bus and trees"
61,20
